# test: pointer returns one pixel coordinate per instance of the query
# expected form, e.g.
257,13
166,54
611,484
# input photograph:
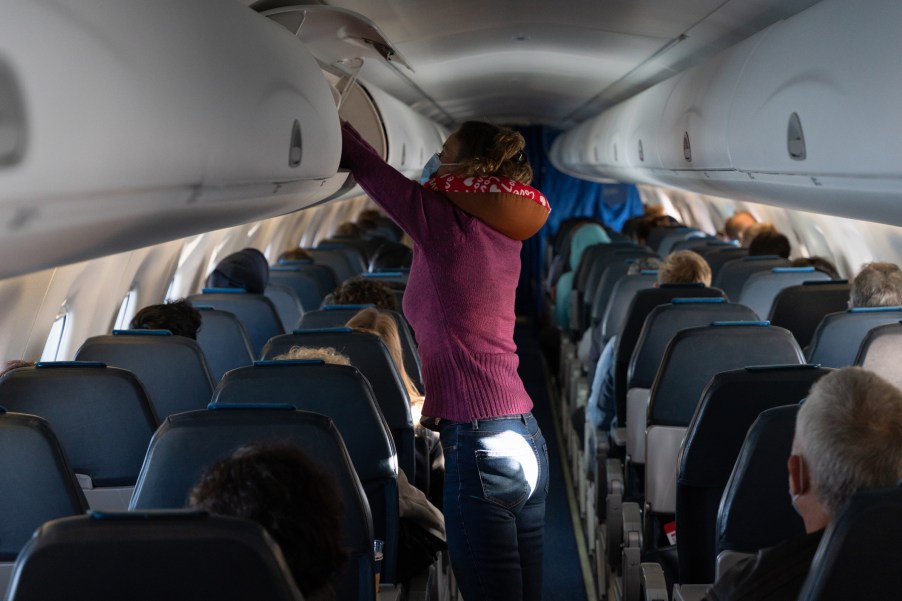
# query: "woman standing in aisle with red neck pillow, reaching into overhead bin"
460,302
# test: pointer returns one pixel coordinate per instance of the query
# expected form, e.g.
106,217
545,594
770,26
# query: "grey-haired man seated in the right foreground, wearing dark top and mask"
846,441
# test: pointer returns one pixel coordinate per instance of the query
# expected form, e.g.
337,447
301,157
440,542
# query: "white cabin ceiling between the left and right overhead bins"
554,62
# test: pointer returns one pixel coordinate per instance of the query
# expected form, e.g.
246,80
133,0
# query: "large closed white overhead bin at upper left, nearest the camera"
144,122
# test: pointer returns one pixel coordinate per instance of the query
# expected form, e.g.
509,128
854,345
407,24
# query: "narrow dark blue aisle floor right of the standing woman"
563,577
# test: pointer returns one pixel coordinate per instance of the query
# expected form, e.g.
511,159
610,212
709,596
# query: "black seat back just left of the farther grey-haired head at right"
801,308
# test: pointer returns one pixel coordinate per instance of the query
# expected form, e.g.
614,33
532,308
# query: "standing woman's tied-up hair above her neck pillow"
487,149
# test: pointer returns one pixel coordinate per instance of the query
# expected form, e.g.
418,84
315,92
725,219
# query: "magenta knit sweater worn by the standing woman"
460,295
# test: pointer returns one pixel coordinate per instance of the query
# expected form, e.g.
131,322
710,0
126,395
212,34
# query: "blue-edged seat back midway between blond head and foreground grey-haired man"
695,355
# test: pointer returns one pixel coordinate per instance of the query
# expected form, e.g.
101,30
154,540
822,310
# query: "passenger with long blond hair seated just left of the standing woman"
430,469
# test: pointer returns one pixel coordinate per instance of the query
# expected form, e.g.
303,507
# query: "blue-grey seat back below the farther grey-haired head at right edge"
835,342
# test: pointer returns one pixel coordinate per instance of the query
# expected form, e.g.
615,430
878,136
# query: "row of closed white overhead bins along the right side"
800,115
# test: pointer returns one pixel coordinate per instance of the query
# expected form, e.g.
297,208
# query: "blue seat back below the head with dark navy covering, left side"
256,312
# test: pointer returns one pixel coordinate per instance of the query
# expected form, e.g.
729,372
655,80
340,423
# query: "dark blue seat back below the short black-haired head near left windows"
172,369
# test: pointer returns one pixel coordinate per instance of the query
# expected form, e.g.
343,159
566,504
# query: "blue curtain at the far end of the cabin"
569,197
